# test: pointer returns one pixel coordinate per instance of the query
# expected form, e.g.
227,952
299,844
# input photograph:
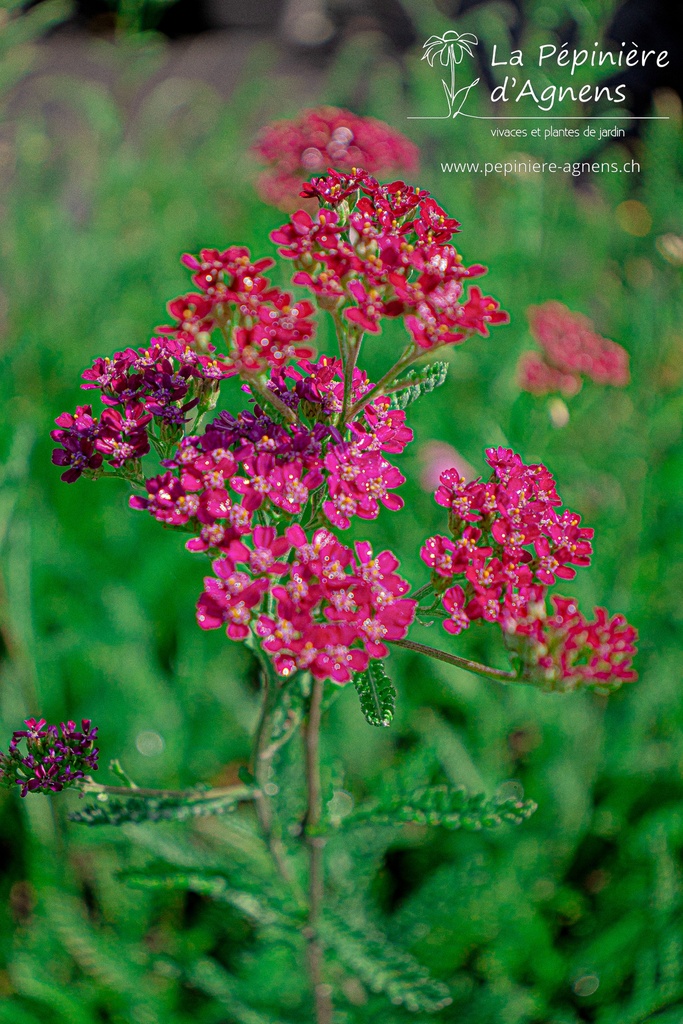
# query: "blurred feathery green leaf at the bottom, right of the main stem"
383,967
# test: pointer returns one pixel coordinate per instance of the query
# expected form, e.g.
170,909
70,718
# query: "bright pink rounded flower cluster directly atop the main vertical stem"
313,603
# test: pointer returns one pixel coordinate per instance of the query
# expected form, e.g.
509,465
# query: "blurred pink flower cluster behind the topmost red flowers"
327,138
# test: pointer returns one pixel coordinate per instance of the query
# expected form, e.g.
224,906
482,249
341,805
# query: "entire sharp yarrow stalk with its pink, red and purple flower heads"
267,492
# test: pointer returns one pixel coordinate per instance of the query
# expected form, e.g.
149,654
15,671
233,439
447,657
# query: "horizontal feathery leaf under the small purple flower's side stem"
108,810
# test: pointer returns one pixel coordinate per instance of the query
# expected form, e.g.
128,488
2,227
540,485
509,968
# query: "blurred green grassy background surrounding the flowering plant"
117,156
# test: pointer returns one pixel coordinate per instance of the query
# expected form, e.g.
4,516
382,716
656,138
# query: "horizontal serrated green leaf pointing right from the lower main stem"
451,807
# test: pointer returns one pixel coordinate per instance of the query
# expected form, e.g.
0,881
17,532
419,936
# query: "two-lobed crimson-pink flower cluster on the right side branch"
509,542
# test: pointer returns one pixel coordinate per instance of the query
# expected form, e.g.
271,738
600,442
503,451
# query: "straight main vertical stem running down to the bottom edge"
316,843
